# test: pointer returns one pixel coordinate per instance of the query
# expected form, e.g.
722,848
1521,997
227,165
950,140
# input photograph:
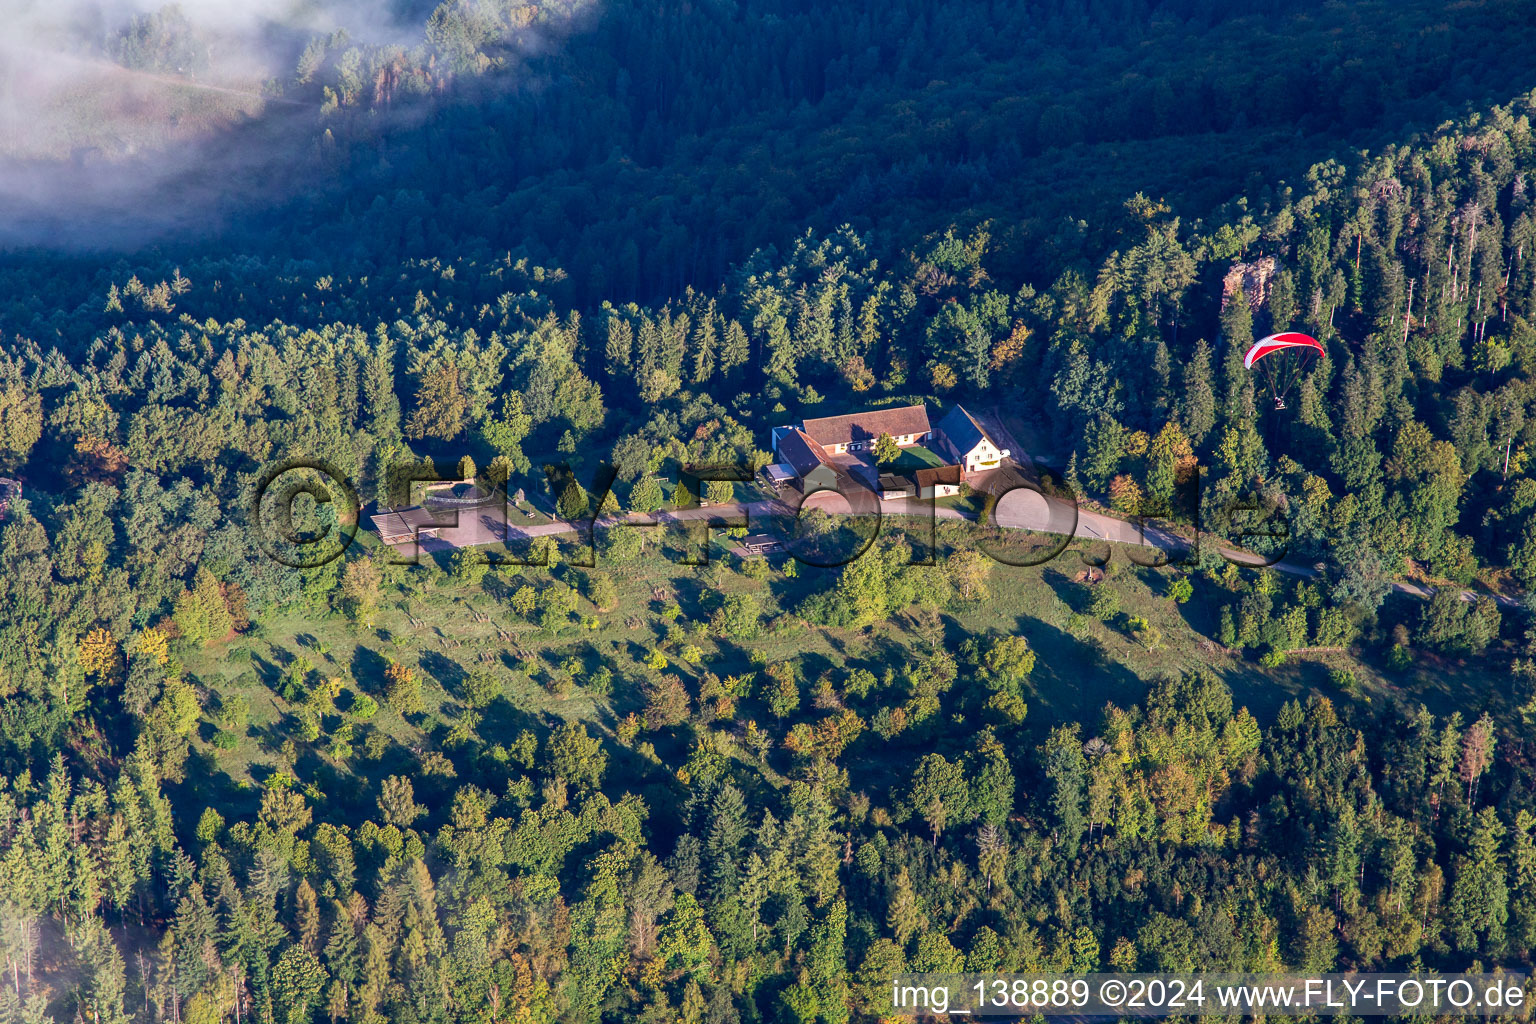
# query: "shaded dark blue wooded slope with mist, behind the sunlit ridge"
655,148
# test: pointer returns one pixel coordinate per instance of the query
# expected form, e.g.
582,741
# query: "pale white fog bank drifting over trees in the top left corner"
124,122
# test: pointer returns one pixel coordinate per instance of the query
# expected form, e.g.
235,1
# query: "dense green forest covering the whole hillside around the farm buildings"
635,788
